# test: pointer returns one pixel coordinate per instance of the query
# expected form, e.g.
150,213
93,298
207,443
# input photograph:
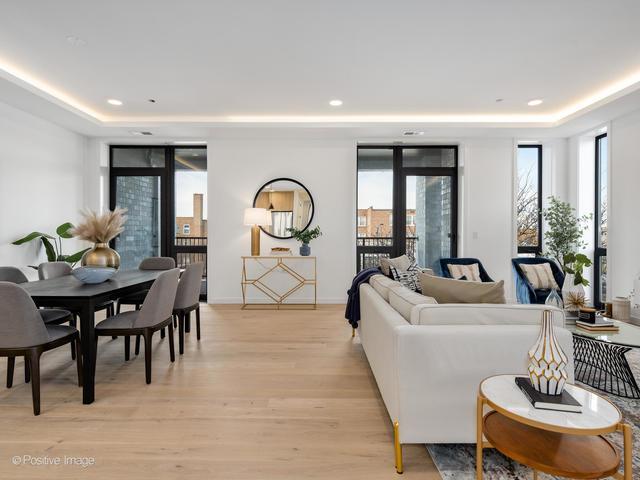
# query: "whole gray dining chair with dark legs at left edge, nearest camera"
23,334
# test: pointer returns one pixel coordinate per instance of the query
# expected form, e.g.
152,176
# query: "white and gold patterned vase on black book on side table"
547,361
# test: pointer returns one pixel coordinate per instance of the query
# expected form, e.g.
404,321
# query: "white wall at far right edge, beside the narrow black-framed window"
623,251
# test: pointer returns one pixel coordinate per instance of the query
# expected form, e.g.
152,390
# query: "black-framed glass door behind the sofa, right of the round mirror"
407,204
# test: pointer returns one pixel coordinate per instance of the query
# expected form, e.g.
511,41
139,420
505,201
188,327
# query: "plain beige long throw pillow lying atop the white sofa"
448,290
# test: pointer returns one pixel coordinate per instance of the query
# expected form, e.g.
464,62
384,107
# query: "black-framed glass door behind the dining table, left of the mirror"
164,190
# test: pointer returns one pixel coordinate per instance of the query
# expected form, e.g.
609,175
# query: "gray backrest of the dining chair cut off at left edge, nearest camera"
21,325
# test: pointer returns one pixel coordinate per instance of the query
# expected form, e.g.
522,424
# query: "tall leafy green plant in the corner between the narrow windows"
563,238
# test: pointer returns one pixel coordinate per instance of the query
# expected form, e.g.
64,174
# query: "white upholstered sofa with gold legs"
428,359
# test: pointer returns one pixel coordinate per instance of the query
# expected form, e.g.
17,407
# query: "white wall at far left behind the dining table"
41,182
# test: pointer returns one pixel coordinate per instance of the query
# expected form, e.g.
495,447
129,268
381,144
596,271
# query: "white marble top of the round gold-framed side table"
597,412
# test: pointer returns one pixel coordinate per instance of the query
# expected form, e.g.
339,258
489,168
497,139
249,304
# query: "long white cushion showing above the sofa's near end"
483,314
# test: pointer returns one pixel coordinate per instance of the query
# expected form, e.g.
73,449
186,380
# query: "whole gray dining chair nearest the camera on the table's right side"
155,314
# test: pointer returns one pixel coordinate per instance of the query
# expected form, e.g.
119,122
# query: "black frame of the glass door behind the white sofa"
398,210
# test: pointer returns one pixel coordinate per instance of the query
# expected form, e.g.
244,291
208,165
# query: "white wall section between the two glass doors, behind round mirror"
237,168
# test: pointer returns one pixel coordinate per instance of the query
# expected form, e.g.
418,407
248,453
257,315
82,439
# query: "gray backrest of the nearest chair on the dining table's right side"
158,304
